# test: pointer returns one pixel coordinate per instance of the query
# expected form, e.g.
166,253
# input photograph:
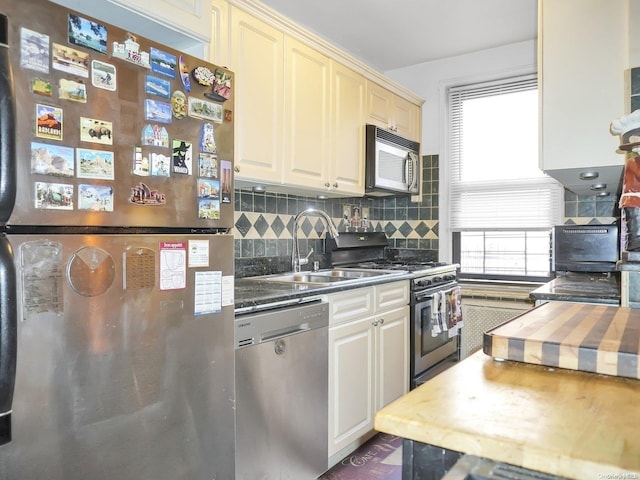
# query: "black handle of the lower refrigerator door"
8,336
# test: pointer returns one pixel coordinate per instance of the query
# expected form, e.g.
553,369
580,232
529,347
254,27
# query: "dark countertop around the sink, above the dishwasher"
251,294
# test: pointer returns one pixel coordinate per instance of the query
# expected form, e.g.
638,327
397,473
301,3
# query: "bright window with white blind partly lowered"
501,205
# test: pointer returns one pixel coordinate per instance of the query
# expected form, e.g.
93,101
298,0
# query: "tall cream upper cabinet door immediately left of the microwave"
346,174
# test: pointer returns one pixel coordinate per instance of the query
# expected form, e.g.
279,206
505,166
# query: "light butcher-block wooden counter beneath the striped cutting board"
563,422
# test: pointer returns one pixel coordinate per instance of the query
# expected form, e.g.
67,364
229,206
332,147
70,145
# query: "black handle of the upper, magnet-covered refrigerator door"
7,127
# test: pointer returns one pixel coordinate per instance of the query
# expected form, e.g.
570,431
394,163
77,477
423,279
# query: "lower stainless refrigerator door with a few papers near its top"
125,358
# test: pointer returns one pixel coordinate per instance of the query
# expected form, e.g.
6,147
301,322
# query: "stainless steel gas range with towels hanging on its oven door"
436,313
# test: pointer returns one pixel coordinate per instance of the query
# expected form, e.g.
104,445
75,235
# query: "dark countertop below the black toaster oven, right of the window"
581,287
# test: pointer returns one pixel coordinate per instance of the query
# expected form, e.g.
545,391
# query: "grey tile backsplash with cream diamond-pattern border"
263,221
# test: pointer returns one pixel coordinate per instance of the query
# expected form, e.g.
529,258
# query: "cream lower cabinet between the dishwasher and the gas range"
368,360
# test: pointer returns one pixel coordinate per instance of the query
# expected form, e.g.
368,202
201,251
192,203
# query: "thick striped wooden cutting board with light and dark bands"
578,336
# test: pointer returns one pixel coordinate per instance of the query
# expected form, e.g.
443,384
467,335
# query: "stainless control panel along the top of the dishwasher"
270,325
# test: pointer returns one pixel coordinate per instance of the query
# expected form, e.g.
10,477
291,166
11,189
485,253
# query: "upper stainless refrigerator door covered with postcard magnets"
113,129
